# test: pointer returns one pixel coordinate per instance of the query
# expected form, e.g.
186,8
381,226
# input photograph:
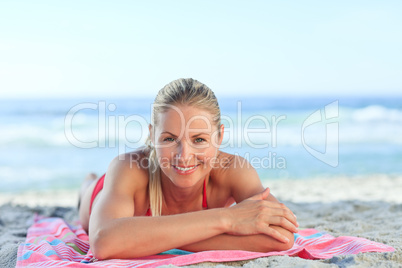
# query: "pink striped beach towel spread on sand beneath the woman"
53,242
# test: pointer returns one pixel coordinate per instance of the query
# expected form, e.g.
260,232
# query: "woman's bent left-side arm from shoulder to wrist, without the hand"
115,233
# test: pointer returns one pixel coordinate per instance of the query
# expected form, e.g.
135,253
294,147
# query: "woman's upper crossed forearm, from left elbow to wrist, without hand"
141,236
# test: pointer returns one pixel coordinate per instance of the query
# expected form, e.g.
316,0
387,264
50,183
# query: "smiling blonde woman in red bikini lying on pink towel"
178,191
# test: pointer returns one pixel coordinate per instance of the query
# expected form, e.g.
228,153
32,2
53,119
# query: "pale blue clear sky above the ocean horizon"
243,48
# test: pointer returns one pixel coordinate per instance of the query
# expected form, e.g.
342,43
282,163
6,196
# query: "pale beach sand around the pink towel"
365,206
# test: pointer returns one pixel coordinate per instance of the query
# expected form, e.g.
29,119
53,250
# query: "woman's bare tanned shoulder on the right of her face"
236,173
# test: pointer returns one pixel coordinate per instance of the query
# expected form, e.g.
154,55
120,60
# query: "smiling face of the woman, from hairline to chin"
186,142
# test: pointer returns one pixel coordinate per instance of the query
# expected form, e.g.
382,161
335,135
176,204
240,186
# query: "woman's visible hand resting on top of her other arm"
255,215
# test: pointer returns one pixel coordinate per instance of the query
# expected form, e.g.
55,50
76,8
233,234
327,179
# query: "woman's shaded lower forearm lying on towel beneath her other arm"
256,243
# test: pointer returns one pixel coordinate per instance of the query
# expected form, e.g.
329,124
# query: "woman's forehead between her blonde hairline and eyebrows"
187,117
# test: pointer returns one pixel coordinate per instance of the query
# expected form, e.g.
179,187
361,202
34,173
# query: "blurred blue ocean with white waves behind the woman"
53,143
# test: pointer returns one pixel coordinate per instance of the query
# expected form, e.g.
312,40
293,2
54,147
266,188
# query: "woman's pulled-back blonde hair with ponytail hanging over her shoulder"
179,92
